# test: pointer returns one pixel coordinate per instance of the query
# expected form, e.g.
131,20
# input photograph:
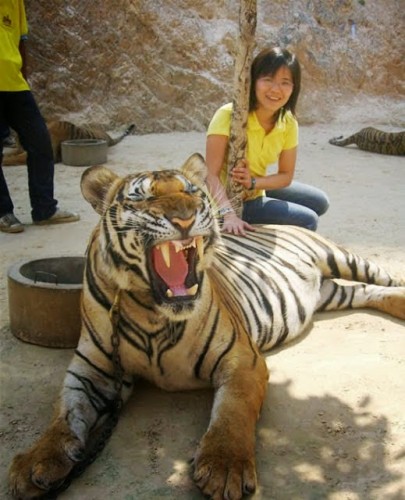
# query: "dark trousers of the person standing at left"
19,111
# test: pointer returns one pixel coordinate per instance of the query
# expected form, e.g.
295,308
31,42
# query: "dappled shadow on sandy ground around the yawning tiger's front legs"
310,448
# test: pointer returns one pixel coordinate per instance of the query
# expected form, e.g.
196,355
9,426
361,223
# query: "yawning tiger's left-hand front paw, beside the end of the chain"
44,467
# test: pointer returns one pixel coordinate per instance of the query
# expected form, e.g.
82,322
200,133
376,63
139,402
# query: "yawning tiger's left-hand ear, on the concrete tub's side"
96,183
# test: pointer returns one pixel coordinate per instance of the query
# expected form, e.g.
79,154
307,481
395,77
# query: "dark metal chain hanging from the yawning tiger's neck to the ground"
104,434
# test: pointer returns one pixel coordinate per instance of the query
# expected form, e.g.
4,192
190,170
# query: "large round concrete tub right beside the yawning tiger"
44,300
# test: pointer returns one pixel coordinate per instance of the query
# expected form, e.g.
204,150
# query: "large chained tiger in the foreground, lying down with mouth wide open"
187,307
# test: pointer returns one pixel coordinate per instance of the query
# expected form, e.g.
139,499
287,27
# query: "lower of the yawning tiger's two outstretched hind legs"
388,299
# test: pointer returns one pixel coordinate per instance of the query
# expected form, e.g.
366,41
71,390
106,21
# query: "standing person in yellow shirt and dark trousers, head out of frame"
19,111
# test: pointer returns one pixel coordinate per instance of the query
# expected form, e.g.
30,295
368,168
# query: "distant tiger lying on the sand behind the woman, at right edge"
375,141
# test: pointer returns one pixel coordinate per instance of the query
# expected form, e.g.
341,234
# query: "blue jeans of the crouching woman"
298,204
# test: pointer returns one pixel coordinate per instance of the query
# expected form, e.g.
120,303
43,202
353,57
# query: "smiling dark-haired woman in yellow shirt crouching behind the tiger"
272,137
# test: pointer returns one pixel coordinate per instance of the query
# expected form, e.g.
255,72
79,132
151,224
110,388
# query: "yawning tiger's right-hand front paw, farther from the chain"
224,469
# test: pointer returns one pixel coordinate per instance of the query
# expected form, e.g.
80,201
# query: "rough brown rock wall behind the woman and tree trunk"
166,65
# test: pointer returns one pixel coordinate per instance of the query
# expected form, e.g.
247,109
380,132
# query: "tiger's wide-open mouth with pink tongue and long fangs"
173,265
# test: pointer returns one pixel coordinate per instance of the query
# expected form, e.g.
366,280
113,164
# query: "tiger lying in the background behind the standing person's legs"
60,131
